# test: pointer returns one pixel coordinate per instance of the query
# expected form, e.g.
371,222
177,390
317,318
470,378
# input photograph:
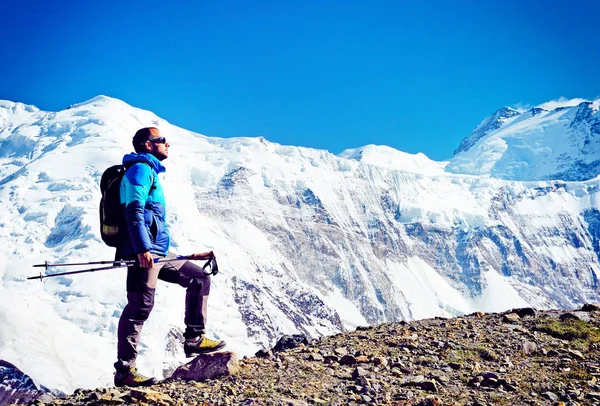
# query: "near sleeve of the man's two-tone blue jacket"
138,182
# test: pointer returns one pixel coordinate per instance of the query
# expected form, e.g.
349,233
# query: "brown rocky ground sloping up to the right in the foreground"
520,357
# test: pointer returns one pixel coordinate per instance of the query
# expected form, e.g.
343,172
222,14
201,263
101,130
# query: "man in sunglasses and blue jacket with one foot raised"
146,237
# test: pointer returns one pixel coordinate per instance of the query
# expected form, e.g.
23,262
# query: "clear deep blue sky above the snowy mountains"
328,74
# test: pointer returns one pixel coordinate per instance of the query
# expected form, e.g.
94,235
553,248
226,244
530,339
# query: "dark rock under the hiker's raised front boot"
208,366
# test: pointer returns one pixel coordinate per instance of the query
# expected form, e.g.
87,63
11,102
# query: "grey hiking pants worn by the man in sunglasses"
141,285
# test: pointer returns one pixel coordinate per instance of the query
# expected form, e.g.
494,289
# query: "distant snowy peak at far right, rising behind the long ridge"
553,141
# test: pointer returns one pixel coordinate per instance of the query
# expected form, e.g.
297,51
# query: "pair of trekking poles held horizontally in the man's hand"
210,256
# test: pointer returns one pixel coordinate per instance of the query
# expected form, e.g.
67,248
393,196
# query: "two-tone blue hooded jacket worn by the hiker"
143,204
